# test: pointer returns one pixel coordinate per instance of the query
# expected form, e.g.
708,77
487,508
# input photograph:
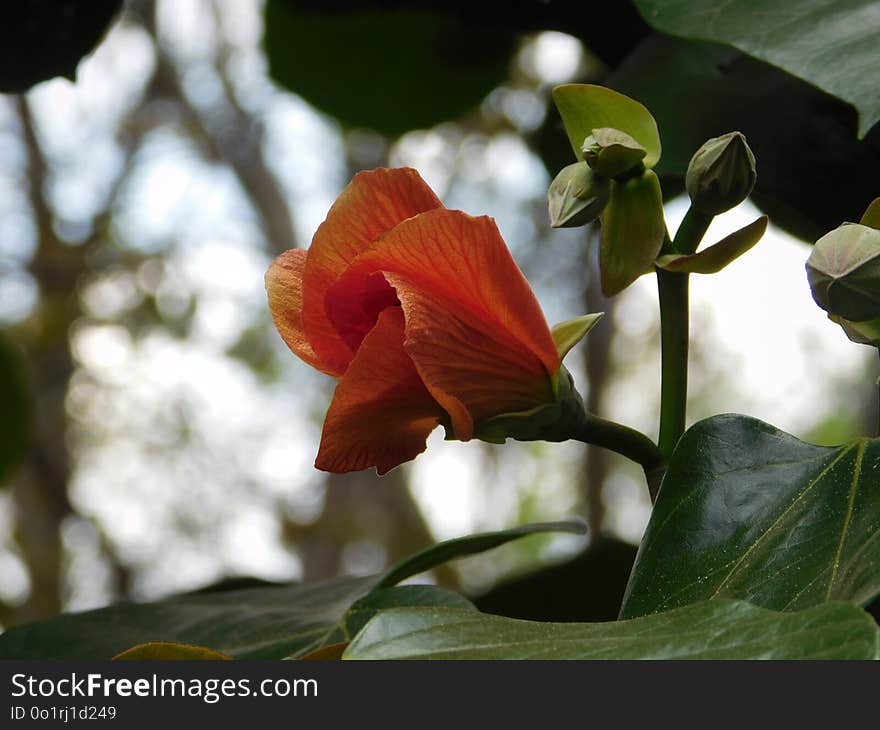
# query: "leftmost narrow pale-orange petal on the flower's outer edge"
284,287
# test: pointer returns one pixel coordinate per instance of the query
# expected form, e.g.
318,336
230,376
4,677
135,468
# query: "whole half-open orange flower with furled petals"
422,315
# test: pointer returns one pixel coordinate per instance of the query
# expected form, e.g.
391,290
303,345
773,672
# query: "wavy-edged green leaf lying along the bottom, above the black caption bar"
719,629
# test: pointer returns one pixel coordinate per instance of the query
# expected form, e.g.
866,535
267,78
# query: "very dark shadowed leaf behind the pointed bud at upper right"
811,167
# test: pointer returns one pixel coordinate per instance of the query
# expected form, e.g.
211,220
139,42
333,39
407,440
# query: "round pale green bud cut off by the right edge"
844,272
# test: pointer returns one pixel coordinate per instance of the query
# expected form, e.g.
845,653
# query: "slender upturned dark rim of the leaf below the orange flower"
461,547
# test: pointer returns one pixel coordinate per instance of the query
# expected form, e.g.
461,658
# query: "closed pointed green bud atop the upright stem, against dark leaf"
721,174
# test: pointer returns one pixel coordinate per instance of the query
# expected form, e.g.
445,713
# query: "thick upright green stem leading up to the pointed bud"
672,288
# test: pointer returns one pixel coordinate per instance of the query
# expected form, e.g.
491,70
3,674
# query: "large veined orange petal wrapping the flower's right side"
473,326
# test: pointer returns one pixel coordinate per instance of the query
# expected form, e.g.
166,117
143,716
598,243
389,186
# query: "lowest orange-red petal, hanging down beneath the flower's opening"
381,412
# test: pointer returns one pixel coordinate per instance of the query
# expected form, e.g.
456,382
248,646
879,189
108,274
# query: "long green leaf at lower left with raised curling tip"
256,623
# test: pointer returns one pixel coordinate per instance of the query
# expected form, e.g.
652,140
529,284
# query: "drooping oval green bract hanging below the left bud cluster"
633,229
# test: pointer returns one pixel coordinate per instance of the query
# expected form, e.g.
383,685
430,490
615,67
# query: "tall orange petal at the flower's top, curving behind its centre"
373,203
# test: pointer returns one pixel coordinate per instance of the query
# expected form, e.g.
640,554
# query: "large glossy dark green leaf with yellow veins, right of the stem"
748,511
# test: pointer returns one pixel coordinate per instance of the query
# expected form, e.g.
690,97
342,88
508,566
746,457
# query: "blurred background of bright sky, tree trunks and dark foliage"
155,434
